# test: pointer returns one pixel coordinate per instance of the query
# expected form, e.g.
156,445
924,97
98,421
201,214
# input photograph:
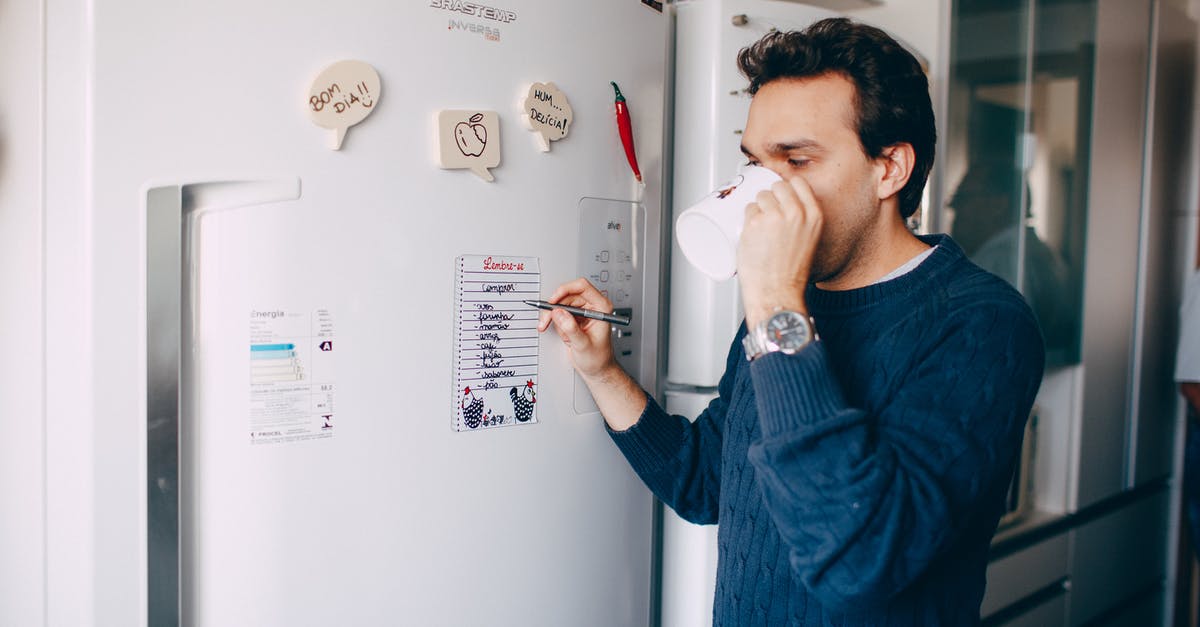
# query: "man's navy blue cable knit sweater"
860,481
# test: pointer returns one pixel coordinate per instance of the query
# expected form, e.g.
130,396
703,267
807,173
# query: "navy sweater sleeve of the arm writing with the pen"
680,461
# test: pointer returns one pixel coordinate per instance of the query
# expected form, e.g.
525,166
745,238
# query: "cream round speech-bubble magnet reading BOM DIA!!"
344,95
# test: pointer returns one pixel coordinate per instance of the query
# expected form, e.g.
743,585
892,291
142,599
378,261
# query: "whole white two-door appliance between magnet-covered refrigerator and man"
711,112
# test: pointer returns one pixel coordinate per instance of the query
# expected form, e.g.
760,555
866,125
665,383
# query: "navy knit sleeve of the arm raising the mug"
866,503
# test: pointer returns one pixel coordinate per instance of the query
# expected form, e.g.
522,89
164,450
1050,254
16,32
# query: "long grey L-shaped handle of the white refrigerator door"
171,212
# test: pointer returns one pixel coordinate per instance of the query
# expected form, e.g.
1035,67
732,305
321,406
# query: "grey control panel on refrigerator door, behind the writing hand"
611,256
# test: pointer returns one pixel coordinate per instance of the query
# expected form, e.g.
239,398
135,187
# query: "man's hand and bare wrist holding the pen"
590,348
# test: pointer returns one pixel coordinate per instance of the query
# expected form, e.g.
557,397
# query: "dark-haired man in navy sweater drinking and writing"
857,461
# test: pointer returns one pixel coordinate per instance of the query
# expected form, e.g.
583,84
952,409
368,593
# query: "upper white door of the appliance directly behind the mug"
711,112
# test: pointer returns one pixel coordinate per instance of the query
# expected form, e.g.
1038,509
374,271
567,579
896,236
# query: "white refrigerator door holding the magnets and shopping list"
364,506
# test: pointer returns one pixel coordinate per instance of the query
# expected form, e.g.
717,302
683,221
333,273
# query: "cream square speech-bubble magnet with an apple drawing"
470,140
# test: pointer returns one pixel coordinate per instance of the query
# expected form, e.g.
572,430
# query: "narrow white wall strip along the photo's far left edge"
22,409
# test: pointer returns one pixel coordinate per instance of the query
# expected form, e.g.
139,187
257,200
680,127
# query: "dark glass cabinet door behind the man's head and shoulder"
1017,163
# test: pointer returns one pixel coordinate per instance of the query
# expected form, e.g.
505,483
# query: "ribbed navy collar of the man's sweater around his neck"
946,254
